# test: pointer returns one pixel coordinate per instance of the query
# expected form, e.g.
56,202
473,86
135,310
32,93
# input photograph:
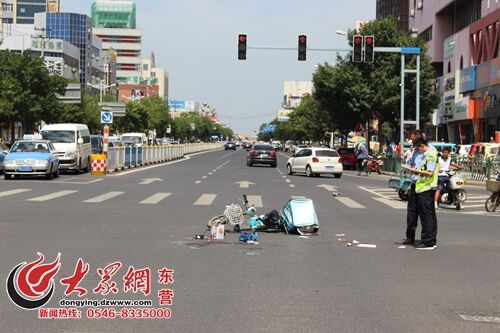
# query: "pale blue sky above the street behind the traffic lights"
196,42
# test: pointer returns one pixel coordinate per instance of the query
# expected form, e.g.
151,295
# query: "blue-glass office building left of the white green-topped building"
77,30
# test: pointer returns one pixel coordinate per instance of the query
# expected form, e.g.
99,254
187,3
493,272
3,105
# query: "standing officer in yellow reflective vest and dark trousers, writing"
426,170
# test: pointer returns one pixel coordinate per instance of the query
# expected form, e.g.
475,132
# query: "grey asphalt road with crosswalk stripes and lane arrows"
148,217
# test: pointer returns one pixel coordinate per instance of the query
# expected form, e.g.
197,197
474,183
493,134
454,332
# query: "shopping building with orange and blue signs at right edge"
462,39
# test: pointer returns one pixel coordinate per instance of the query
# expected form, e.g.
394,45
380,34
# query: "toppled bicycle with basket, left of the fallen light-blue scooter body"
235,215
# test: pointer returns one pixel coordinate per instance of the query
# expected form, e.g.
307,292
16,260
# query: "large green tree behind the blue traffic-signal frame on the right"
355,93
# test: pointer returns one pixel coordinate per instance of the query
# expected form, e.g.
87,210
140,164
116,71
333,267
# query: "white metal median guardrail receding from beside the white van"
121,158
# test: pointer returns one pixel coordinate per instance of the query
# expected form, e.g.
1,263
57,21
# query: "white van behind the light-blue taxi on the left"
72,142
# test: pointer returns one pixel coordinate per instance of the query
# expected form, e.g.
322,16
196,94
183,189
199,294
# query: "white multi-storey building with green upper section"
115,23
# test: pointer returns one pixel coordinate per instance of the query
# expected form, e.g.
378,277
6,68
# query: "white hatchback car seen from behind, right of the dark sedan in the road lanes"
315,161
